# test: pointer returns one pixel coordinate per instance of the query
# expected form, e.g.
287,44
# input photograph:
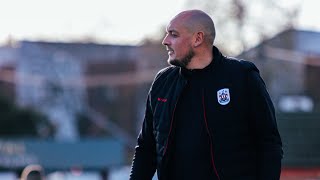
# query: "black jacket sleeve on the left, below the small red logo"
144,161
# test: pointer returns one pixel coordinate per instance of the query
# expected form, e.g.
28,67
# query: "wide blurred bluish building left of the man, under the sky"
106,83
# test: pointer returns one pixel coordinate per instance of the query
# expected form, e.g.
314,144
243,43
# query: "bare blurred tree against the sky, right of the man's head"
241,24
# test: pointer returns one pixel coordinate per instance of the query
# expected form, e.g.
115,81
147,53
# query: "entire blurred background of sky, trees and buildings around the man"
74,76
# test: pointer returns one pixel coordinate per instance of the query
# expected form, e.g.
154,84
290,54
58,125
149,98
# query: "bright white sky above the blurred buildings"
104,21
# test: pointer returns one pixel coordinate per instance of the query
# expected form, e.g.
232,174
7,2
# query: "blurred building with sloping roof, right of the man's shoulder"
290,65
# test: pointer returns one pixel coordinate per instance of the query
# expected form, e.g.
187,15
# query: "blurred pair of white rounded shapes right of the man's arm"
296,103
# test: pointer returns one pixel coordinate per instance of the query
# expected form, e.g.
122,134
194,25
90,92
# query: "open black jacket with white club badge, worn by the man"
245,140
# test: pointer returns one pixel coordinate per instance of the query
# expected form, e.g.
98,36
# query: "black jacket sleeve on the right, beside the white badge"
264,125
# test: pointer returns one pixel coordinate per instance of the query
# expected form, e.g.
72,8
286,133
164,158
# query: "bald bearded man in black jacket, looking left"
207,116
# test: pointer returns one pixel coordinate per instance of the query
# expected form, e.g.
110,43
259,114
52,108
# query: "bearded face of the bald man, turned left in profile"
178,42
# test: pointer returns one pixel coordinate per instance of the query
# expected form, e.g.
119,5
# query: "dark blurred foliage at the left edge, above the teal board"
18,122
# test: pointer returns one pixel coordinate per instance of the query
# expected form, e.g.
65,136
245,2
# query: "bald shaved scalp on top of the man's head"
195,21
